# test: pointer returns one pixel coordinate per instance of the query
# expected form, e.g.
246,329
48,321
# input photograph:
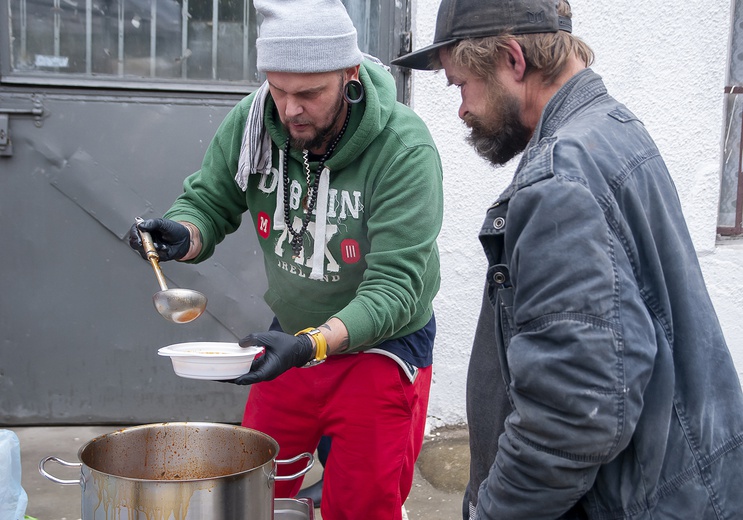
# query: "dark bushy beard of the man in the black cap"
500,135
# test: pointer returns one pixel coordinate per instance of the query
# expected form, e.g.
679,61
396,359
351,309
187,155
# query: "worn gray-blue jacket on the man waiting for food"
622,397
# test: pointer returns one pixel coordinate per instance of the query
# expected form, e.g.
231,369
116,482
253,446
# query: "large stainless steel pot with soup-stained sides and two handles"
185,470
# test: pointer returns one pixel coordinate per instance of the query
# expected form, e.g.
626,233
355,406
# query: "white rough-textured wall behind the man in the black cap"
667,62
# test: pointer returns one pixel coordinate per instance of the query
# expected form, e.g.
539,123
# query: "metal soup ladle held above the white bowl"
177,305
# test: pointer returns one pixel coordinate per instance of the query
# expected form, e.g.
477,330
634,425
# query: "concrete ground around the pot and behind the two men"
441,472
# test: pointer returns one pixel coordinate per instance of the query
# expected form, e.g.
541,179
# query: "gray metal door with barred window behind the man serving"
104,109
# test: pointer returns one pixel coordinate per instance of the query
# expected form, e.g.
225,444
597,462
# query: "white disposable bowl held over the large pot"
210,360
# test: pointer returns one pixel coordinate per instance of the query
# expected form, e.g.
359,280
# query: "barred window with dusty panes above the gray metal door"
179,44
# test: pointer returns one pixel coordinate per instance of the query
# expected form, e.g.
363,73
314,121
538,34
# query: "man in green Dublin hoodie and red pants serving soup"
344,187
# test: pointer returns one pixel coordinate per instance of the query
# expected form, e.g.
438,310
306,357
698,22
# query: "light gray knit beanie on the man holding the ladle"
305,36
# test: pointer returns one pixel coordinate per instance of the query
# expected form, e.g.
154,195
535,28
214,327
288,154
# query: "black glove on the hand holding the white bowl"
282,352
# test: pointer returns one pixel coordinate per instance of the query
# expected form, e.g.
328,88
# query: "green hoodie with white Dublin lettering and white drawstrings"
380,270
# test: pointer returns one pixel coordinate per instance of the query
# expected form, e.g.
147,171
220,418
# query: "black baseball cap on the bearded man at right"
462,19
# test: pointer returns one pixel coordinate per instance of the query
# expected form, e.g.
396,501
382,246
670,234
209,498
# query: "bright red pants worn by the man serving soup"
375,417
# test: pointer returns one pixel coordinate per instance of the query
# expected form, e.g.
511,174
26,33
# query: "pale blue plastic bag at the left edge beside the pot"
13,498
